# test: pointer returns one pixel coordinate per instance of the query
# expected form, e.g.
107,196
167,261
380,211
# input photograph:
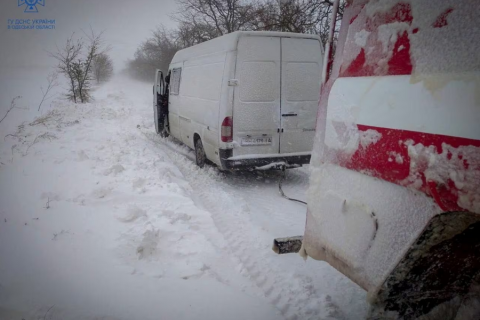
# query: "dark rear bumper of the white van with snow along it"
262,162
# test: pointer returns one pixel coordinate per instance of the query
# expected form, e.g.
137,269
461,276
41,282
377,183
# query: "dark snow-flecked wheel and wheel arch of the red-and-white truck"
440,266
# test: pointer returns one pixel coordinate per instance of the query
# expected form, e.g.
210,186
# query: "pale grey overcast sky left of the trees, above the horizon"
126,24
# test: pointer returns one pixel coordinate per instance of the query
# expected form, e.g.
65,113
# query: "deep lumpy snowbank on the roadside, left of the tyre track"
97,224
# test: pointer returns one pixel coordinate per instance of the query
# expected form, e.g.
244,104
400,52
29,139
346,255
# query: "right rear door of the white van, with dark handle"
300,94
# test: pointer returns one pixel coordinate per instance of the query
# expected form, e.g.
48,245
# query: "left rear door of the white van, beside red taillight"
256,111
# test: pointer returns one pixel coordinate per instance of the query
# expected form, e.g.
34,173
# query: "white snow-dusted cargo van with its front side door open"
246,100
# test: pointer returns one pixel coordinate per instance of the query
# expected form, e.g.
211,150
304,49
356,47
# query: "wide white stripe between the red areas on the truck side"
442,104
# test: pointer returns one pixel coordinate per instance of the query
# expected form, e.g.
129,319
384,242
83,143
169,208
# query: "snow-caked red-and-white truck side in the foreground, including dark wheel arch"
394,196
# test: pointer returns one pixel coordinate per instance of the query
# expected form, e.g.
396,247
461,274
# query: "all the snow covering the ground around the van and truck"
100,218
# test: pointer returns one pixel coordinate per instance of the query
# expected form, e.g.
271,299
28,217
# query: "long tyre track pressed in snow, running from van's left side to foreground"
294,296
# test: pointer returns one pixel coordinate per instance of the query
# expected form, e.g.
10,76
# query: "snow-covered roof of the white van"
229,42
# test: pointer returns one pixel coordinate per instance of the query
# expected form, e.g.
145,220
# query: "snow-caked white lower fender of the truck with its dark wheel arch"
393,241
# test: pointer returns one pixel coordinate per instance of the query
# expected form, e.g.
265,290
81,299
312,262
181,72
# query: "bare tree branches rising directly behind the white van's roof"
203,20
